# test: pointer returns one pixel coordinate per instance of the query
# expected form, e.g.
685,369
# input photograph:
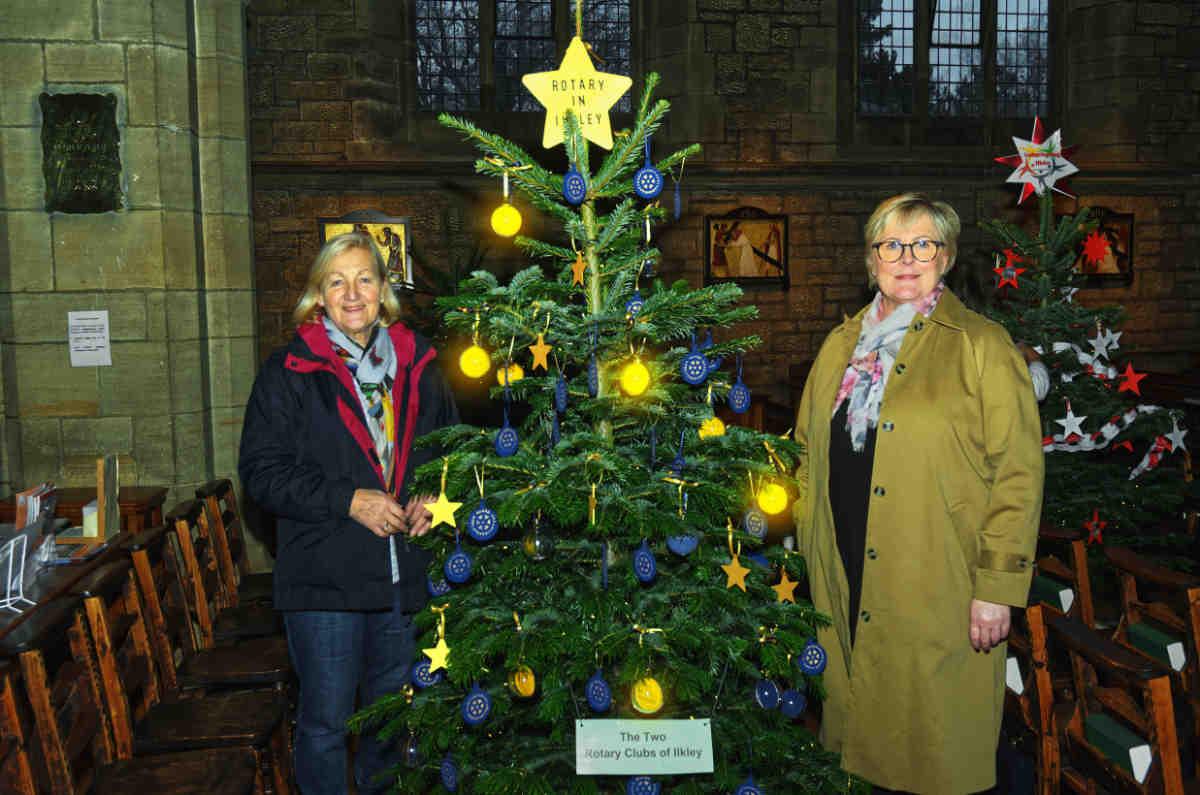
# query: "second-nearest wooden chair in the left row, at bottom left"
75,752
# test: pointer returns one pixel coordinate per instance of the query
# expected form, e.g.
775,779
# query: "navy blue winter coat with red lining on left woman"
305,449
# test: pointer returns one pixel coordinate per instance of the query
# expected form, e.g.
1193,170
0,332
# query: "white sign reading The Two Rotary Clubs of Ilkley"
615,748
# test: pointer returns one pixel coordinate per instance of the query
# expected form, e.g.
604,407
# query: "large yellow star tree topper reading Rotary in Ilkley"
577,86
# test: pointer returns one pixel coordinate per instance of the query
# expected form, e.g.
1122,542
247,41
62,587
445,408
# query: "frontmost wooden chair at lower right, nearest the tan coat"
1117,726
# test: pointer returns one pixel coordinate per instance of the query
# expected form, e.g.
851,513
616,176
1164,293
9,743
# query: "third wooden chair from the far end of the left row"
182,662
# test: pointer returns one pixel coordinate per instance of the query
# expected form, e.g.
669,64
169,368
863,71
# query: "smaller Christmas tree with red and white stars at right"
1105,447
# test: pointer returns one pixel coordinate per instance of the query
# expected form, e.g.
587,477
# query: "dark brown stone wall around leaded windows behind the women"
765,87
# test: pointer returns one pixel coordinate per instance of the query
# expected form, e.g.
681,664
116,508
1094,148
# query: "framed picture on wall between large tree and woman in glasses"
748,247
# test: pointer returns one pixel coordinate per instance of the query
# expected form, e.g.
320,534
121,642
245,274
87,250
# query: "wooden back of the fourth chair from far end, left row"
122,644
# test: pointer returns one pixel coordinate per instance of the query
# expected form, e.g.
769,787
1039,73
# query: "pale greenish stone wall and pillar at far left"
172,266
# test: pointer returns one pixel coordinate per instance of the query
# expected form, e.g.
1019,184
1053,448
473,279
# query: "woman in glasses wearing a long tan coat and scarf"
923,481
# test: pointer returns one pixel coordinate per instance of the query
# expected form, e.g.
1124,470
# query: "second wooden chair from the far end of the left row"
218,623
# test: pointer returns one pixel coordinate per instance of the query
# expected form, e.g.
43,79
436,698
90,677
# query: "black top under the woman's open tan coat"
850,498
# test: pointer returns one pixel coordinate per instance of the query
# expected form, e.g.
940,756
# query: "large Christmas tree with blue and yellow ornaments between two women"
605,558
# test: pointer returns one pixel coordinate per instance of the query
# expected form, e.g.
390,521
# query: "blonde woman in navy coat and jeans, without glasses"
328,449
